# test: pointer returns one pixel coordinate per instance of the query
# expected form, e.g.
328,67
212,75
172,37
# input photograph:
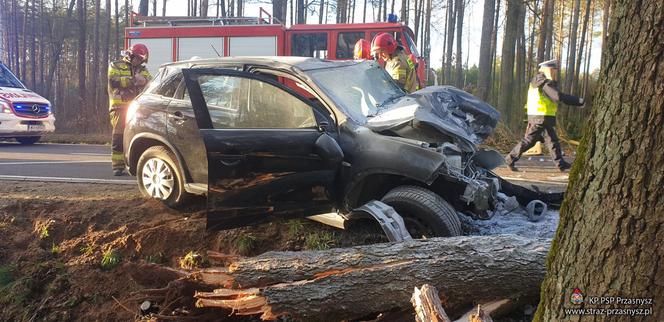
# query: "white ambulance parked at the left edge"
24,115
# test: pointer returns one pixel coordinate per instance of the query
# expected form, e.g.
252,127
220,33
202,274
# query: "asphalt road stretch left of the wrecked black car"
66,161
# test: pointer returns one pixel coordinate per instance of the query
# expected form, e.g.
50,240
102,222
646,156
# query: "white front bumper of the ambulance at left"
14,126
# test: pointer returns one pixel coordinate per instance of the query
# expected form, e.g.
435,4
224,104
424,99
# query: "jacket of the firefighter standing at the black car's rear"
121,87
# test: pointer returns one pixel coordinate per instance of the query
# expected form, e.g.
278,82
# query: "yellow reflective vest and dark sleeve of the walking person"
543,97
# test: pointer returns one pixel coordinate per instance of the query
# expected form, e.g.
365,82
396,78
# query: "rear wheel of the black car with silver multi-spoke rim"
159,177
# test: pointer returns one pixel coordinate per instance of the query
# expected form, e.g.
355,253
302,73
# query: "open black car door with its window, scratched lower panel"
268,157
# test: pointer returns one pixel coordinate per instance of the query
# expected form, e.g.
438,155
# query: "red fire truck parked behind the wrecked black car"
180,38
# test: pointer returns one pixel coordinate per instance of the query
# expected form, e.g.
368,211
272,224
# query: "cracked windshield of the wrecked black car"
362,90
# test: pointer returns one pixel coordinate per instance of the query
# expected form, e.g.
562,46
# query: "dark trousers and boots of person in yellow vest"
543,130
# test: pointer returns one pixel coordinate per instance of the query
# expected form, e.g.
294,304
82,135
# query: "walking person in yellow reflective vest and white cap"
542,104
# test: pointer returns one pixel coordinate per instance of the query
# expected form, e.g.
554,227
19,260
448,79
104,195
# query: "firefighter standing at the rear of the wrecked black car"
126,79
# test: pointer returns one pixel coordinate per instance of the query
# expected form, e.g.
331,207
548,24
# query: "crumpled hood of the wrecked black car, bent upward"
446,108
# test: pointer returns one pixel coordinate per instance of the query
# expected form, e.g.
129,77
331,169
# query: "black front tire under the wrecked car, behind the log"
425,213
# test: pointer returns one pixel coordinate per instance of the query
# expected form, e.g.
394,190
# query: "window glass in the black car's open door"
235,102
